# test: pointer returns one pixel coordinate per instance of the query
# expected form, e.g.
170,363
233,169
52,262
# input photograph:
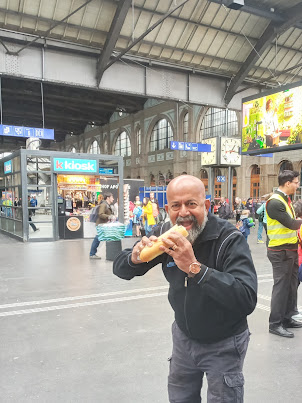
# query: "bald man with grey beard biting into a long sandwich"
213,287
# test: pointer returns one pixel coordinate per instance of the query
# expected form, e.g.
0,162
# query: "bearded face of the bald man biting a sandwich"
187,205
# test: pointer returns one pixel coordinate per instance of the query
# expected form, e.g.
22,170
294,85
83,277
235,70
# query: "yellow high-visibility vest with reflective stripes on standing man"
277,233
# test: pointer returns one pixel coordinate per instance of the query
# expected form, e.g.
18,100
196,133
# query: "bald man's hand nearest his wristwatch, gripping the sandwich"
180,249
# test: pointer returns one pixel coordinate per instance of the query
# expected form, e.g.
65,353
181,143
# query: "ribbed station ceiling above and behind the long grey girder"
259,44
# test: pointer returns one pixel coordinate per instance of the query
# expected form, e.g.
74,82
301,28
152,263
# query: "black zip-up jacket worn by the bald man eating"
217,306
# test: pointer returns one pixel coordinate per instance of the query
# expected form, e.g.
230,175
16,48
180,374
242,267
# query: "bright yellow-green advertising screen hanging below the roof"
272,121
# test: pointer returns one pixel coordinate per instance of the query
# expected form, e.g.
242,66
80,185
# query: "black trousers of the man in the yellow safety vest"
284,294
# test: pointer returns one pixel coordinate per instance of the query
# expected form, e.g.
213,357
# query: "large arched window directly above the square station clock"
218,123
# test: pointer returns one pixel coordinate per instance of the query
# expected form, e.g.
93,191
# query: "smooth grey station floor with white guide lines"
73,332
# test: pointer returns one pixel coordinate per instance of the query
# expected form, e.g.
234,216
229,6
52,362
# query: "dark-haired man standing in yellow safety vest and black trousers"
282,252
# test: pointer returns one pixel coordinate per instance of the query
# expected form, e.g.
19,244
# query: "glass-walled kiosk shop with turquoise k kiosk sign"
54,191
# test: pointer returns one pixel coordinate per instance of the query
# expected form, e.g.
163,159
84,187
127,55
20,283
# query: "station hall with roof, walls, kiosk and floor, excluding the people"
120,96
